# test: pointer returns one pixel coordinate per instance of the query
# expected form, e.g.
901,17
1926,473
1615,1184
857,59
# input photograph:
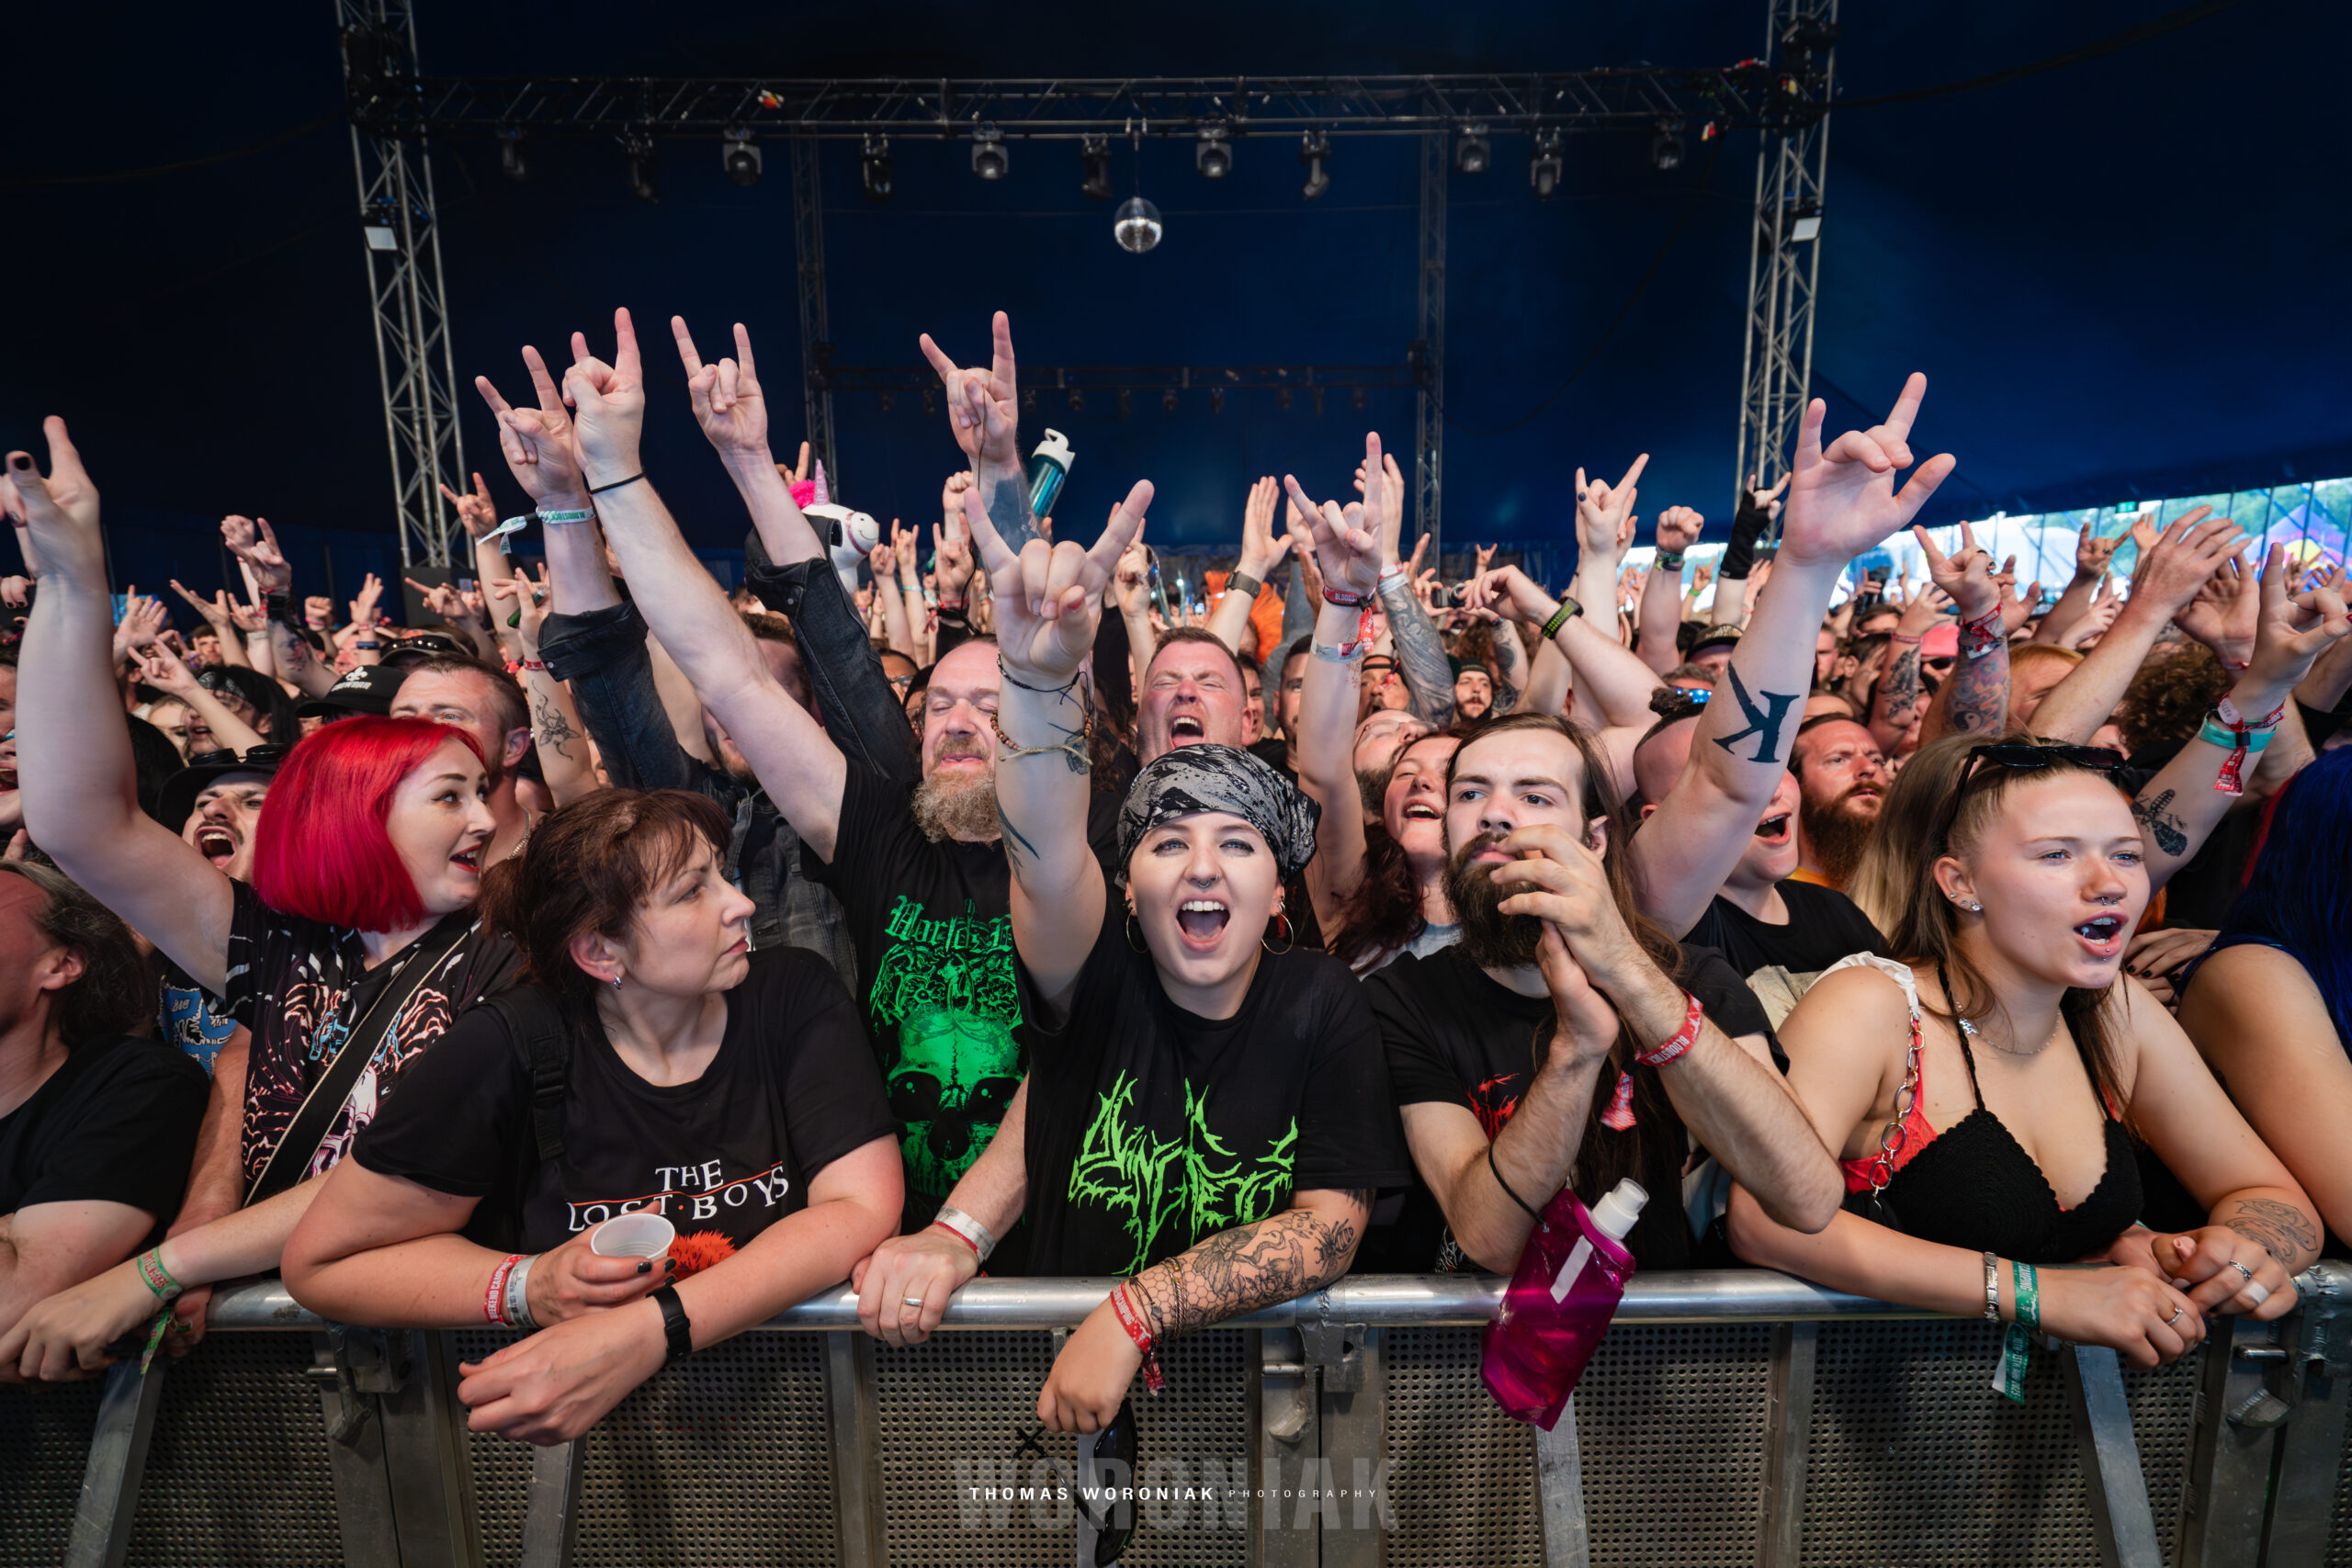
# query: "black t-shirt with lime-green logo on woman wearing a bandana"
1151,1130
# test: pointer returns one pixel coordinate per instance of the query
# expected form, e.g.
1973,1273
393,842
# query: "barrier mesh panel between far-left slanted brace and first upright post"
239,1463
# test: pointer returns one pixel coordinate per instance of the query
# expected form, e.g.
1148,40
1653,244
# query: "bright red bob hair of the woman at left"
321,850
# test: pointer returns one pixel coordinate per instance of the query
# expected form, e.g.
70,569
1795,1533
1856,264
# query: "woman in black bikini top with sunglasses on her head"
1986,1083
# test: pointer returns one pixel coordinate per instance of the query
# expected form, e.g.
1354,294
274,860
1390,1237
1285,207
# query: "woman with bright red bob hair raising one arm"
354,949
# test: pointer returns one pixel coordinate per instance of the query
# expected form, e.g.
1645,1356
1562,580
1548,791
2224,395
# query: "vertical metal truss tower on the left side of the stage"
406,290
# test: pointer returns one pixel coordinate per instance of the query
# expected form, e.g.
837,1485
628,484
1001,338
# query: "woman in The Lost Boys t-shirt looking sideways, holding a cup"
676,1076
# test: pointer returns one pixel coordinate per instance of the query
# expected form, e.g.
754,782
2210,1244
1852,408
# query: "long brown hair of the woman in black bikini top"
1925,925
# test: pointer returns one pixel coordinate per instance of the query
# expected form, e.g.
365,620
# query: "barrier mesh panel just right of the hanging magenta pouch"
1671,1435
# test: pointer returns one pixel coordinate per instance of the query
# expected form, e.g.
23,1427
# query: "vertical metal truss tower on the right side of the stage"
1784,264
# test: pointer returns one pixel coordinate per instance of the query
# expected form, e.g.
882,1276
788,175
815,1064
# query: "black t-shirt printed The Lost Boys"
791,1090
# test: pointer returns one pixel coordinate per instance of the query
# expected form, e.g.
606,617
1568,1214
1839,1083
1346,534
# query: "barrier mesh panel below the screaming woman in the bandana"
956,1416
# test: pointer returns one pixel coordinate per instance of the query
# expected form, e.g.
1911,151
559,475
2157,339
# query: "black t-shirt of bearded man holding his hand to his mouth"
1459,1038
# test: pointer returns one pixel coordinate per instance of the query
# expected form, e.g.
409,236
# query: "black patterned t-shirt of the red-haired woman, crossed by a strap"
302,986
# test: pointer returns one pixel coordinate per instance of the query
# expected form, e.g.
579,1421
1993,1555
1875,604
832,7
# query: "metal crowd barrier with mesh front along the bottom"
1730,1419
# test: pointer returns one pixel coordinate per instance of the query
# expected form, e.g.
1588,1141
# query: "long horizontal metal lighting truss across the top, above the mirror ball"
1742,95
